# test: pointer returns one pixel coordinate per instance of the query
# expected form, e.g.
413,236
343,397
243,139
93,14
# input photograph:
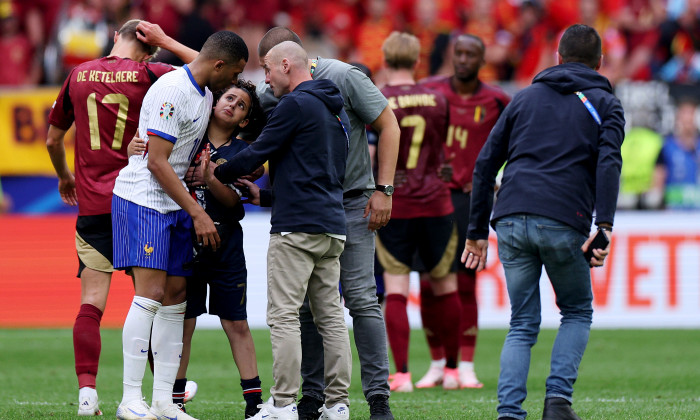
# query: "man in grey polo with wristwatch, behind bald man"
367,208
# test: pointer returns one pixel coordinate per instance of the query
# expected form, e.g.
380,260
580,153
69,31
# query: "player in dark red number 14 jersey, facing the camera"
474,109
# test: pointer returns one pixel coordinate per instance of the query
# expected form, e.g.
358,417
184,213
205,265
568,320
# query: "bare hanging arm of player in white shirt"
159,151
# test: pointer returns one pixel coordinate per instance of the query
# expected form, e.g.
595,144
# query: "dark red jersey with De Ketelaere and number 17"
103,97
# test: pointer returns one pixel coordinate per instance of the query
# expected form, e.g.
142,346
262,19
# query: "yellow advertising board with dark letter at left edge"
24,115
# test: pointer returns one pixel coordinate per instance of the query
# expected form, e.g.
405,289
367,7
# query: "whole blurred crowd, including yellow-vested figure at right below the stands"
643,40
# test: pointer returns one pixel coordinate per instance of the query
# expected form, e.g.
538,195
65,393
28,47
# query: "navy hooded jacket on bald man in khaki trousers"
307,148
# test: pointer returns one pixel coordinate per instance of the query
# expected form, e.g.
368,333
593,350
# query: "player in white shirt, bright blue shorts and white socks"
153,213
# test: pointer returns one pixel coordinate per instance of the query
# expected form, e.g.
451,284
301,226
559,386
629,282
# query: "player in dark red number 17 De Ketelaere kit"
103,97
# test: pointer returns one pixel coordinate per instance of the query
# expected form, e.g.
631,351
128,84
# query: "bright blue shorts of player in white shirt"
143,237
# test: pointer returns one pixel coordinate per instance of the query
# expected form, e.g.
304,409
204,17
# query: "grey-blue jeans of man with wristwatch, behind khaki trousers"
359,290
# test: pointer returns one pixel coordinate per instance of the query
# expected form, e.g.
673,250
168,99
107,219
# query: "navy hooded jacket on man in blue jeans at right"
561,163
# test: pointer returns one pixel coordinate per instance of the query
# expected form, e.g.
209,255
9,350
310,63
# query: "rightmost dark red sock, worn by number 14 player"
469,324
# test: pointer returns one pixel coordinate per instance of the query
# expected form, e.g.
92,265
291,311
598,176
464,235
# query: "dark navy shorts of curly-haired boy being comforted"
225,273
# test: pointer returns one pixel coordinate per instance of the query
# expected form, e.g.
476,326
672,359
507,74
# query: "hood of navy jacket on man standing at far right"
571,77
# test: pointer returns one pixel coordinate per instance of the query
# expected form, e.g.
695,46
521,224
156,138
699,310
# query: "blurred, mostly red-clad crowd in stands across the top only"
643,39
